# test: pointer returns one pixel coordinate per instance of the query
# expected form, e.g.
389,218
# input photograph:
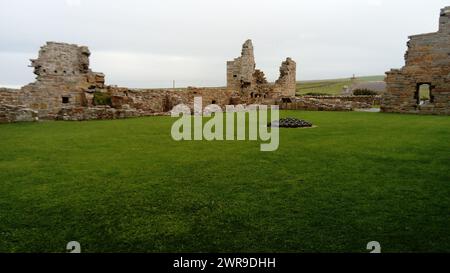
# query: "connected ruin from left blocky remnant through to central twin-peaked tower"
67,89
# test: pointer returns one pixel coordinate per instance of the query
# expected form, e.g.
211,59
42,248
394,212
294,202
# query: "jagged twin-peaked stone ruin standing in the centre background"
251,83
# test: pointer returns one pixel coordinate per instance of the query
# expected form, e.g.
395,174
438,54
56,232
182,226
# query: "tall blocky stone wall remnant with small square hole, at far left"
63,78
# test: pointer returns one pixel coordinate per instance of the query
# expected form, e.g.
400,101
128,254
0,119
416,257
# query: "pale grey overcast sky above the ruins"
139,43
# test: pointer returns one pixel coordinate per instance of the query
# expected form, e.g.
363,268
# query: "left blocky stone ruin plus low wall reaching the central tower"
65,87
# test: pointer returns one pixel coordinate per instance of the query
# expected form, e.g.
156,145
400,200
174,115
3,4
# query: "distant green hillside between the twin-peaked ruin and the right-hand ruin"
335,86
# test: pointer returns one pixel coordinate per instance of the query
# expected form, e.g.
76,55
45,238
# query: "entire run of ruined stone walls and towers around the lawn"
67,89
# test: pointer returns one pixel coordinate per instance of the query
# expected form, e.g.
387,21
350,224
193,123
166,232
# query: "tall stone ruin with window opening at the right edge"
427,65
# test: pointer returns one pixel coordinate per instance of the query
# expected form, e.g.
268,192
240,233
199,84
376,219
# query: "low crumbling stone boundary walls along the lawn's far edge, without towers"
146,102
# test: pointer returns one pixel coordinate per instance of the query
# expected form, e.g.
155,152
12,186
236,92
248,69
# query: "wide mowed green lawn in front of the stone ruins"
126,186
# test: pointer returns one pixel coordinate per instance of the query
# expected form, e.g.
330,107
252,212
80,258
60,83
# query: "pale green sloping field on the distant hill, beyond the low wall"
332,86
